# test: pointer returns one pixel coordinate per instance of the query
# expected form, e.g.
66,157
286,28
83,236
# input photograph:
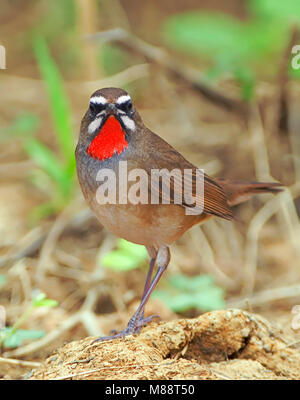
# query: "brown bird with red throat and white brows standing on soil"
112,134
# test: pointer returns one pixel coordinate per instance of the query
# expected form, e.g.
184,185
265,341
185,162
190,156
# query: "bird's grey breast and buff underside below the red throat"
147,224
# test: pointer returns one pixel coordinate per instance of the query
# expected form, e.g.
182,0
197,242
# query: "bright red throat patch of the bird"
110,140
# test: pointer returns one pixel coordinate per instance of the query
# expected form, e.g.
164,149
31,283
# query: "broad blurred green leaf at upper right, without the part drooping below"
222,38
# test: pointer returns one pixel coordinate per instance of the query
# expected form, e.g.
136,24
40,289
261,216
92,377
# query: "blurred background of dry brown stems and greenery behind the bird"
234,116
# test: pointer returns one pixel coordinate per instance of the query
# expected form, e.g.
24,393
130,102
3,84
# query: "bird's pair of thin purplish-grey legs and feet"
137,320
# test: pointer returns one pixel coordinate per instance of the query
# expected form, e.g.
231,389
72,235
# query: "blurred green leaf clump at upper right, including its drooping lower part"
228,44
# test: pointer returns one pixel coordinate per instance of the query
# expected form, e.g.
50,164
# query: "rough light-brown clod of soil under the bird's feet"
225,344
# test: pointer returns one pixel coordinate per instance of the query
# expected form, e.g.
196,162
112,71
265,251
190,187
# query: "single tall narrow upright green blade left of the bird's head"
59,105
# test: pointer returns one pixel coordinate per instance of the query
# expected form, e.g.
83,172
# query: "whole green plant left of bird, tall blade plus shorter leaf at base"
62,173
